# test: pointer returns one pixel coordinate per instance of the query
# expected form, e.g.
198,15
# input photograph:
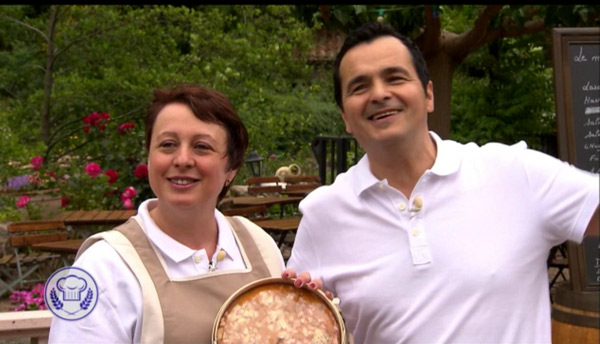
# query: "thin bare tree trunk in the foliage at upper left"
48,80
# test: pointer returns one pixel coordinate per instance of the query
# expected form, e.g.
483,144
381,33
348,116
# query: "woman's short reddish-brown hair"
208,106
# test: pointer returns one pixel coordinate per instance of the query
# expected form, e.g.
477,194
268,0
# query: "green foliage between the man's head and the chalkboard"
504,93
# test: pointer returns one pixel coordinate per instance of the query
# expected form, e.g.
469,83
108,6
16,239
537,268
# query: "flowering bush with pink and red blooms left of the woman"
108,172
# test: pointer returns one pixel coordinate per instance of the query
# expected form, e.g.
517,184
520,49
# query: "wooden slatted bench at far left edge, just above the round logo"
16,267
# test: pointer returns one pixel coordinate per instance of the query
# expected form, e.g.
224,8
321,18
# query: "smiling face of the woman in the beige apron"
187,160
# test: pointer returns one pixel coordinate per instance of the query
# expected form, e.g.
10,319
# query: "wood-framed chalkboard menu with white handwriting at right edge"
576,54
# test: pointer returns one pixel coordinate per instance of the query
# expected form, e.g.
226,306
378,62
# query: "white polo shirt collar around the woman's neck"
175,250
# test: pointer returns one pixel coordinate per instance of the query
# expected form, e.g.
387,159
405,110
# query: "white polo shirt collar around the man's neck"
447,162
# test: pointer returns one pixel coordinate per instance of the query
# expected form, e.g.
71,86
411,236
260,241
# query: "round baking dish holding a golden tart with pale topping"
273,311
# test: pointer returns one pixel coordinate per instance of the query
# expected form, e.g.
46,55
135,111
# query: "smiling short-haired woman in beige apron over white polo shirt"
187,257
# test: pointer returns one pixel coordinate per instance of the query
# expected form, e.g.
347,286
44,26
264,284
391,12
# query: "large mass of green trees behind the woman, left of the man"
108,59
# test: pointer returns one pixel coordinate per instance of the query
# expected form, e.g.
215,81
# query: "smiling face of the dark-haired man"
384,101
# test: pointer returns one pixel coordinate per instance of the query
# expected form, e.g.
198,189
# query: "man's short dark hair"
367,33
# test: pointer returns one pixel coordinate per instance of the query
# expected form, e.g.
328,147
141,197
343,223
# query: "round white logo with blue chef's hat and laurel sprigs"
71,293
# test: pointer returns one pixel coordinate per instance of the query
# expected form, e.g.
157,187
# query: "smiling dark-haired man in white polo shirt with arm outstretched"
428,240
